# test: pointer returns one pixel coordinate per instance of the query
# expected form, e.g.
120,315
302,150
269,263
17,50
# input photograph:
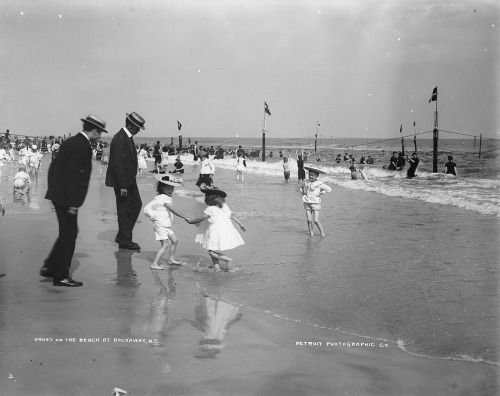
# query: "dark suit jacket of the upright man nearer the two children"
122,166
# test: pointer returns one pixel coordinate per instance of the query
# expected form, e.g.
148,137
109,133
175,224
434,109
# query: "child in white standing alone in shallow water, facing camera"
311,194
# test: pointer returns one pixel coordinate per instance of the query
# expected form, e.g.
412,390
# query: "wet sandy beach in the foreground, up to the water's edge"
74,341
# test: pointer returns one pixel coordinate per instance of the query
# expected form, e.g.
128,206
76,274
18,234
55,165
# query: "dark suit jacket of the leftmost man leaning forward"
69,172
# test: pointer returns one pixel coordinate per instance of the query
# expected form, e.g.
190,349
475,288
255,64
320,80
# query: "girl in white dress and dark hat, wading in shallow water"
218,232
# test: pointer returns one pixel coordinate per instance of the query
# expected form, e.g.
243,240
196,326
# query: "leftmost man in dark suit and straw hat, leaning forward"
68,182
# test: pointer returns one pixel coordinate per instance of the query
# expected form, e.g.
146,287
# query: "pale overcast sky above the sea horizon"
359,68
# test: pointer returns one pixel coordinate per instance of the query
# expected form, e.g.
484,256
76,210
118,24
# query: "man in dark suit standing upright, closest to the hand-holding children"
121,175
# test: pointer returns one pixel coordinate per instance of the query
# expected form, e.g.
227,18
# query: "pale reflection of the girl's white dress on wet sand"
213,318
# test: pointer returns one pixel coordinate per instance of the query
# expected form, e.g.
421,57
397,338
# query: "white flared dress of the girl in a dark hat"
218,232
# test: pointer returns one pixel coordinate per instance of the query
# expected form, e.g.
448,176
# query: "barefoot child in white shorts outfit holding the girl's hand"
160,211
